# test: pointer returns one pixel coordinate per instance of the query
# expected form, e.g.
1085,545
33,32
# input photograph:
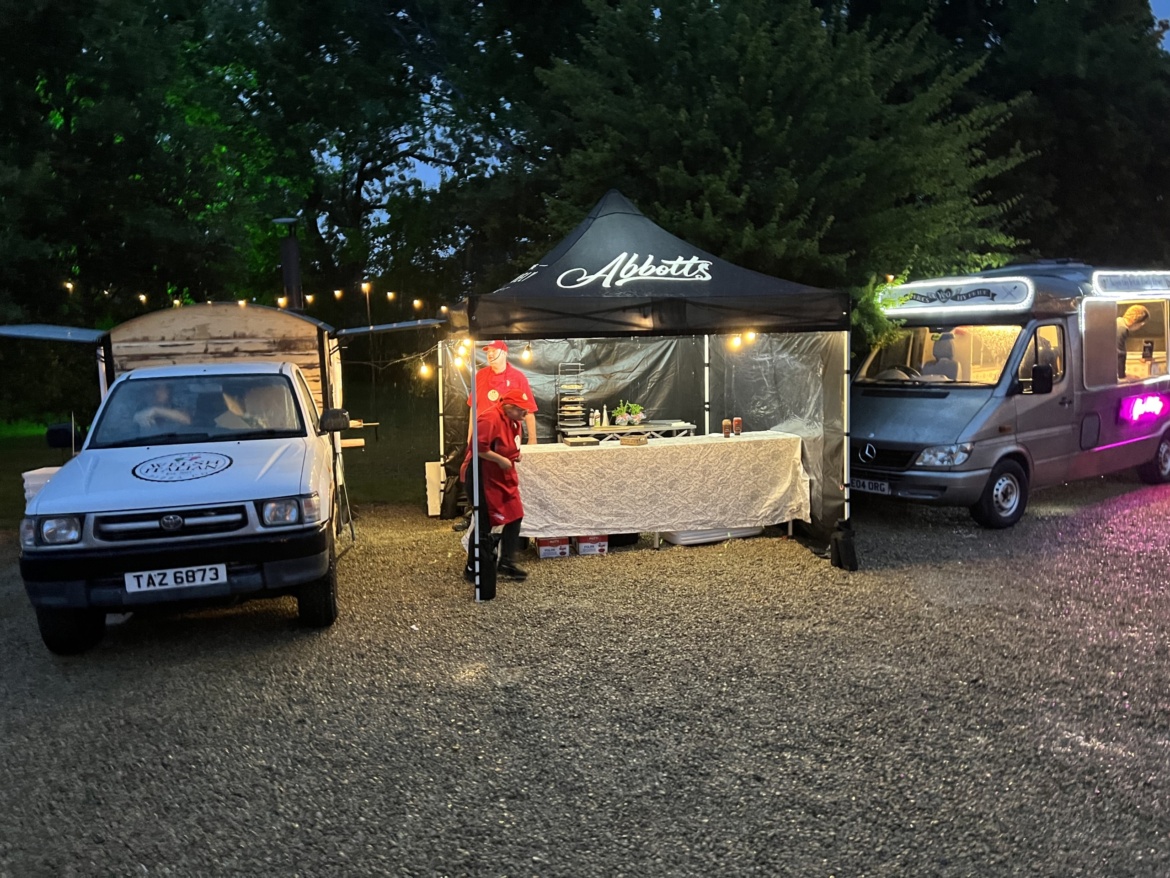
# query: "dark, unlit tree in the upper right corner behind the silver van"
1091,86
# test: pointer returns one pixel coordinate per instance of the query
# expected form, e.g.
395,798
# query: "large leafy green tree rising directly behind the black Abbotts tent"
774,138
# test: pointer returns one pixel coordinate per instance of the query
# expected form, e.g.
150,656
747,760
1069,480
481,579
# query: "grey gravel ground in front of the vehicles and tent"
968,704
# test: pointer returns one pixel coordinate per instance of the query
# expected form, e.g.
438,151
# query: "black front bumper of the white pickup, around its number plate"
257,567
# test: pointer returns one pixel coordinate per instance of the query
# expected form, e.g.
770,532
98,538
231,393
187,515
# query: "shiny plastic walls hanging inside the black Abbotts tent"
793,382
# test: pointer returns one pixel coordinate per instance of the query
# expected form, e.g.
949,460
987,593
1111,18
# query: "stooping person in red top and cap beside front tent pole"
499,430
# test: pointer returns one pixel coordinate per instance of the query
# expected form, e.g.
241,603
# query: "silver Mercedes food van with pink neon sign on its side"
1014,380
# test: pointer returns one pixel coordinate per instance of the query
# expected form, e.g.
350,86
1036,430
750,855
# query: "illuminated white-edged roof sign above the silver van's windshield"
956,297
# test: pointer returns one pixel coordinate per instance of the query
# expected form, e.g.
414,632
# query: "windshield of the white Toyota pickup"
187,409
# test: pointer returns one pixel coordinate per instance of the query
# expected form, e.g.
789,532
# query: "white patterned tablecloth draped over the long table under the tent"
687,483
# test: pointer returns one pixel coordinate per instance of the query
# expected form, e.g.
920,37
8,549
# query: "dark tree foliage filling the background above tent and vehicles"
148,145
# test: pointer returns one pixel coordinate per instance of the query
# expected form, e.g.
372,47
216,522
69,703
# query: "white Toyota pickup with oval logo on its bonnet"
199,482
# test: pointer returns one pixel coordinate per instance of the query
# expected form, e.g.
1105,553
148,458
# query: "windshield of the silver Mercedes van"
942,354
